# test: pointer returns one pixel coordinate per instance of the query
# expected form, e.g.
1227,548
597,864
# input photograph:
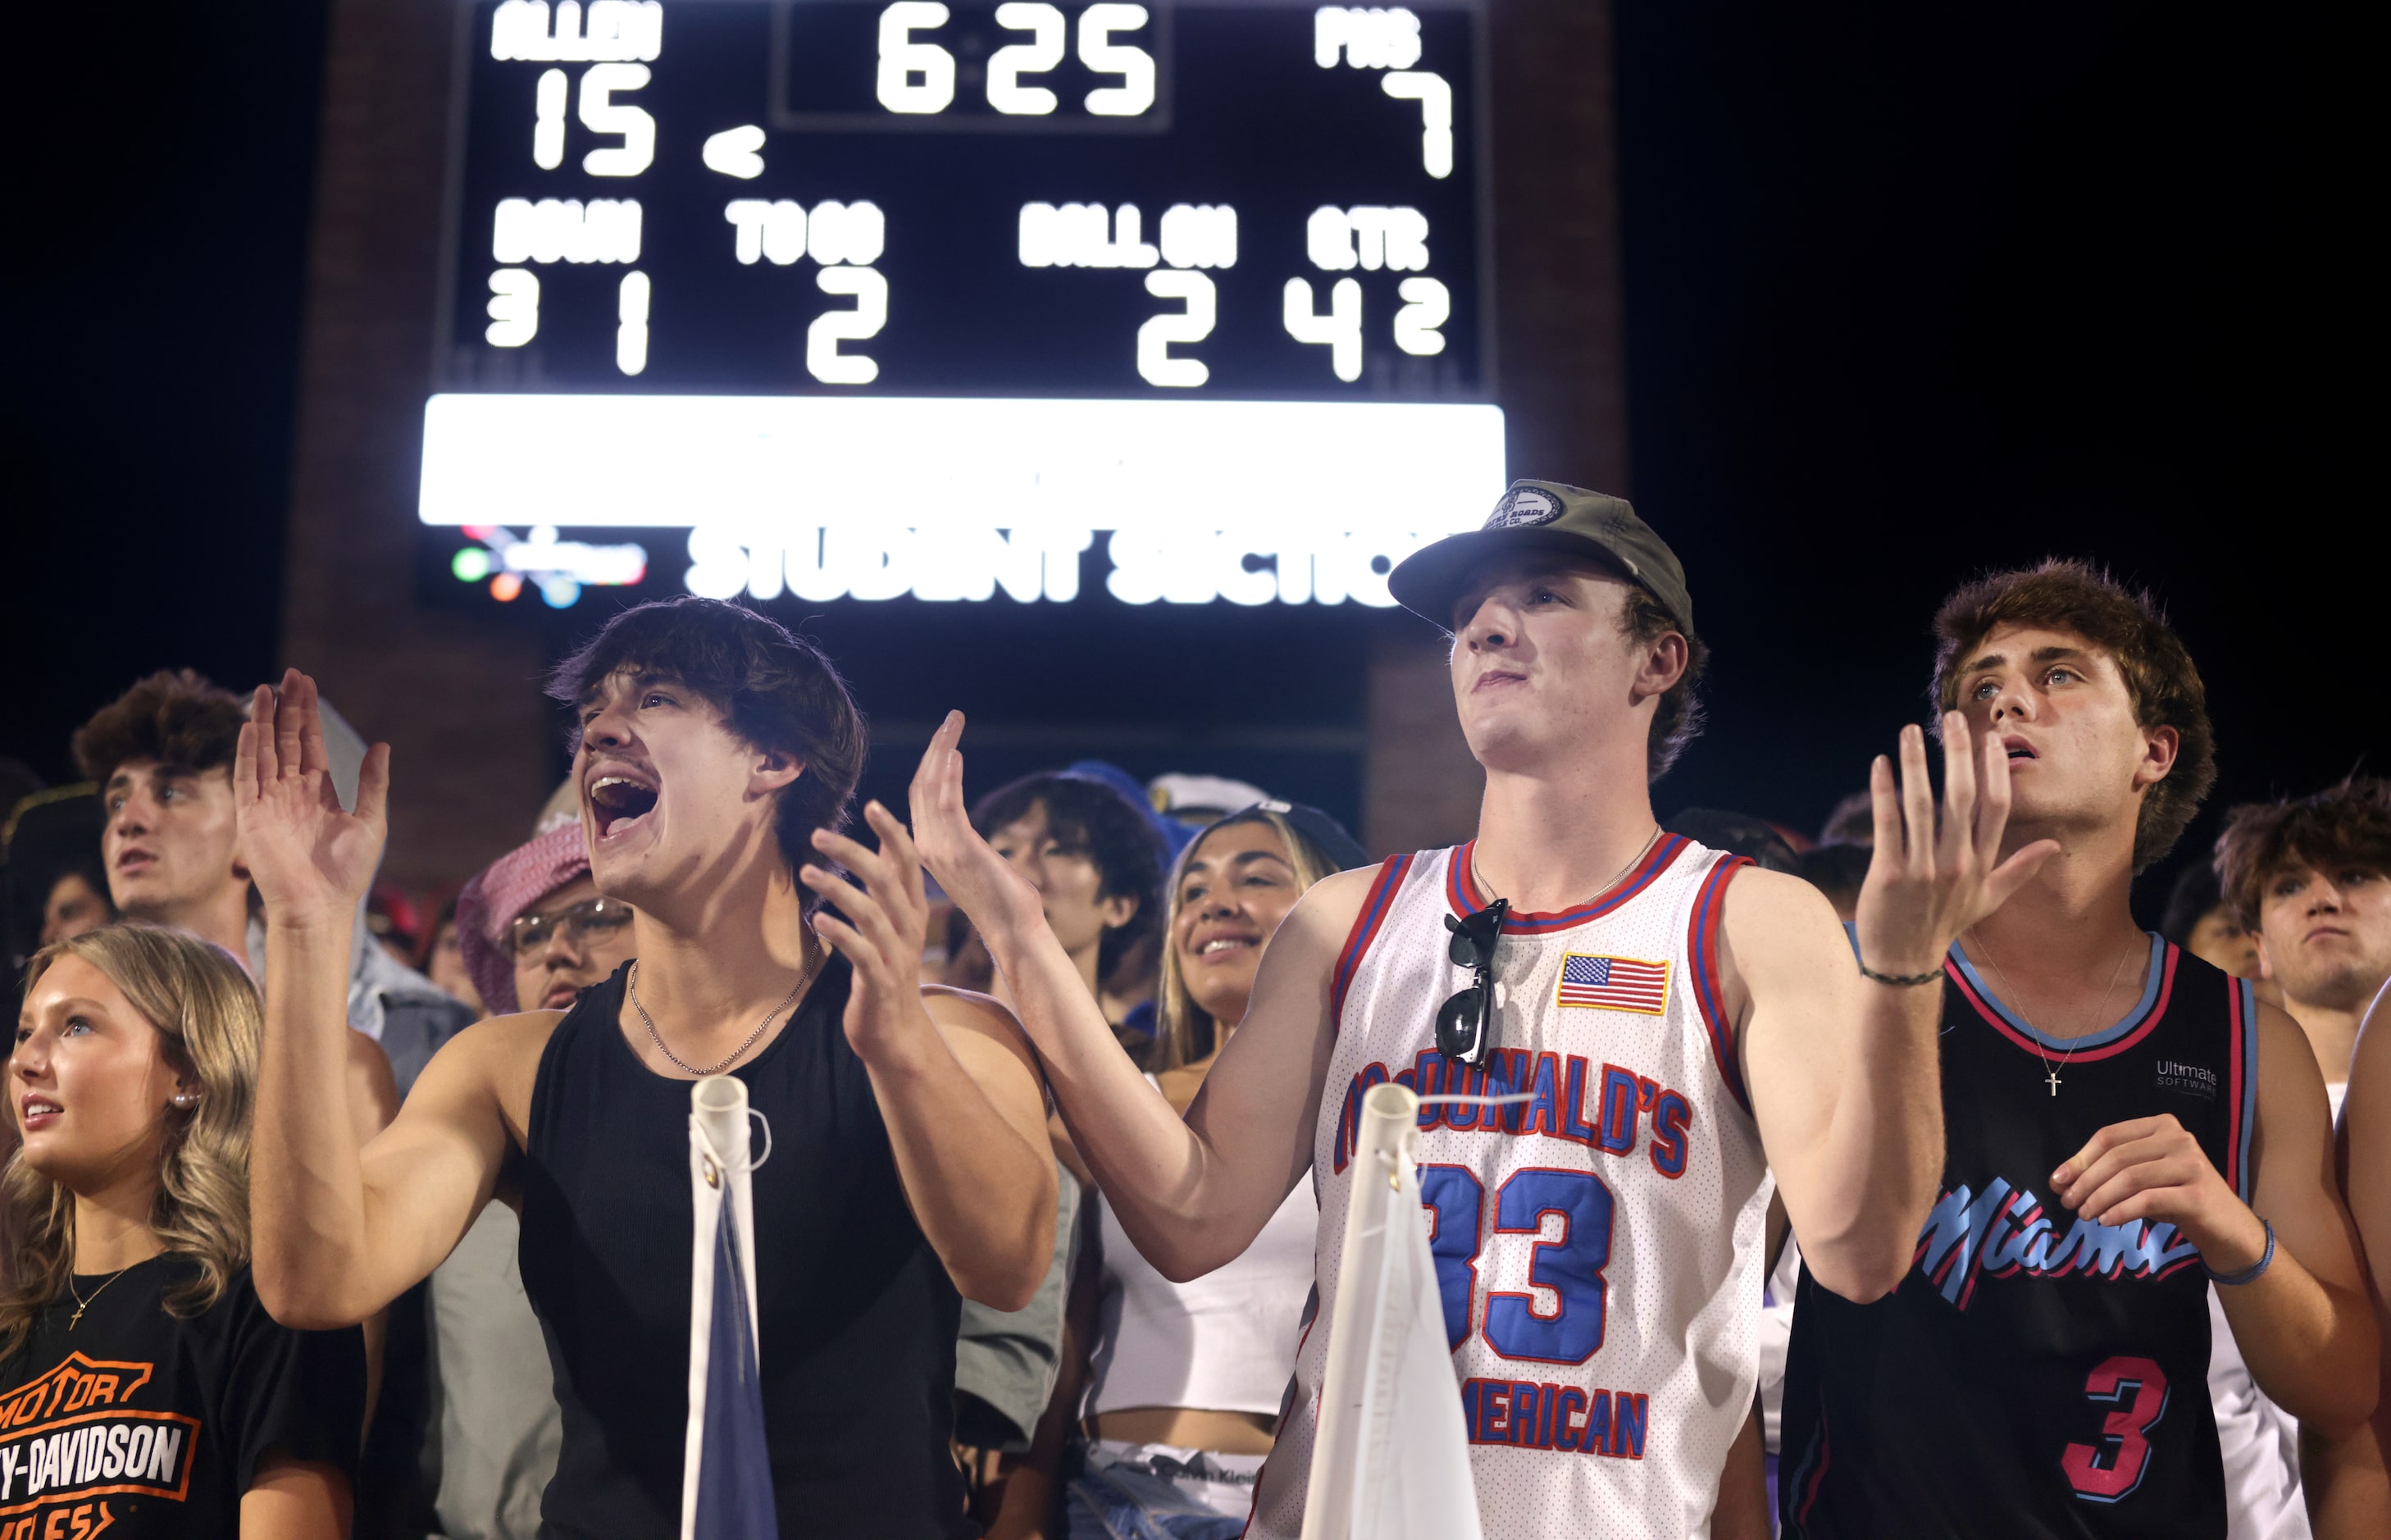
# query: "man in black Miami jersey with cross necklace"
2122,1125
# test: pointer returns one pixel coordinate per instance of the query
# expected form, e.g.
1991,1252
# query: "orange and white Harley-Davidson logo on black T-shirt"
71,1441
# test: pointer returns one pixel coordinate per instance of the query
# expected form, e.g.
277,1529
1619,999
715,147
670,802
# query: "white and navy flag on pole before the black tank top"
728,1469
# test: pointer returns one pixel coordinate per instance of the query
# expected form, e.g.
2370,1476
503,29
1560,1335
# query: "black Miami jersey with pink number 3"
2036,1374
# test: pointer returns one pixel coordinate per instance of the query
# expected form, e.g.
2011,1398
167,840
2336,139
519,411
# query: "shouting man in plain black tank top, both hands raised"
714,757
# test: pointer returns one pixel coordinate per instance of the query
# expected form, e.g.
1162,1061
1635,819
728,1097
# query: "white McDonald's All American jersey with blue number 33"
1598,1245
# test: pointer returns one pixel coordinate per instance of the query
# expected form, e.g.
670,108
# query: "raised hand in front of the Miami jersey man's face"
1928,886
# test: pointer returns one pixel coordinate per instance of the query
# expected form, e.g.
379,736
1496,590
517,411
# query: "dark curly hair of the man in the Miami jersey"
2124,623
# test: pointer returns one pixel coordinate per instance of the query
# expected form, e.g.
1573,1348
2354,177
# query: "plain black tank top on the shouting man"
857,1314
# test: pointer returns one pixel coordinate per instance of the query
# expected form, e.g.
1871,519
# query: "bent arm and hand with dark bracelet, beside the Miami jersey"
1845,1072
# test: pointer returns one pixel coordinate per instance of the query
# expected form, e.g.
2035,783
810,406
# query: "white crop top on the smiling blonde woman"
1223,1343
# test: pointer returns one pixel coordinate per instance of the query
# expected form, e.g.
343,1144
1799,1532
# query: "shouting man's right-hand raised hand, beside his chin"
883,929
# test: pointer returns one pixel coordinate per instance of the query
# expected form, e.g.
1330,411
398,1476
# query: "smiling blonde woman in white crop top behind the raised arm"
1173,1393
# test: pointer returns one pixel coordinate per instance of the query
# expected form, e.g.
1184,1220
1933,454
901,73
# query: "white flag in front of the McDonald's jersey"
1390,1460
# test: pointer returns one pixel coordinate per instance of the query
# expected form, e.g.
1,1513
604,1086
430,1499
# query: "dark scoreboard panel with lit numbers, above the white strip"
931,197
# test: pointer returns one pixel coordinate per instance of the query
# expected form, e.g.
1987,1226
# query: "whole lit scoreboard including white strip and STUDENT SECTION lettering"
972,302
